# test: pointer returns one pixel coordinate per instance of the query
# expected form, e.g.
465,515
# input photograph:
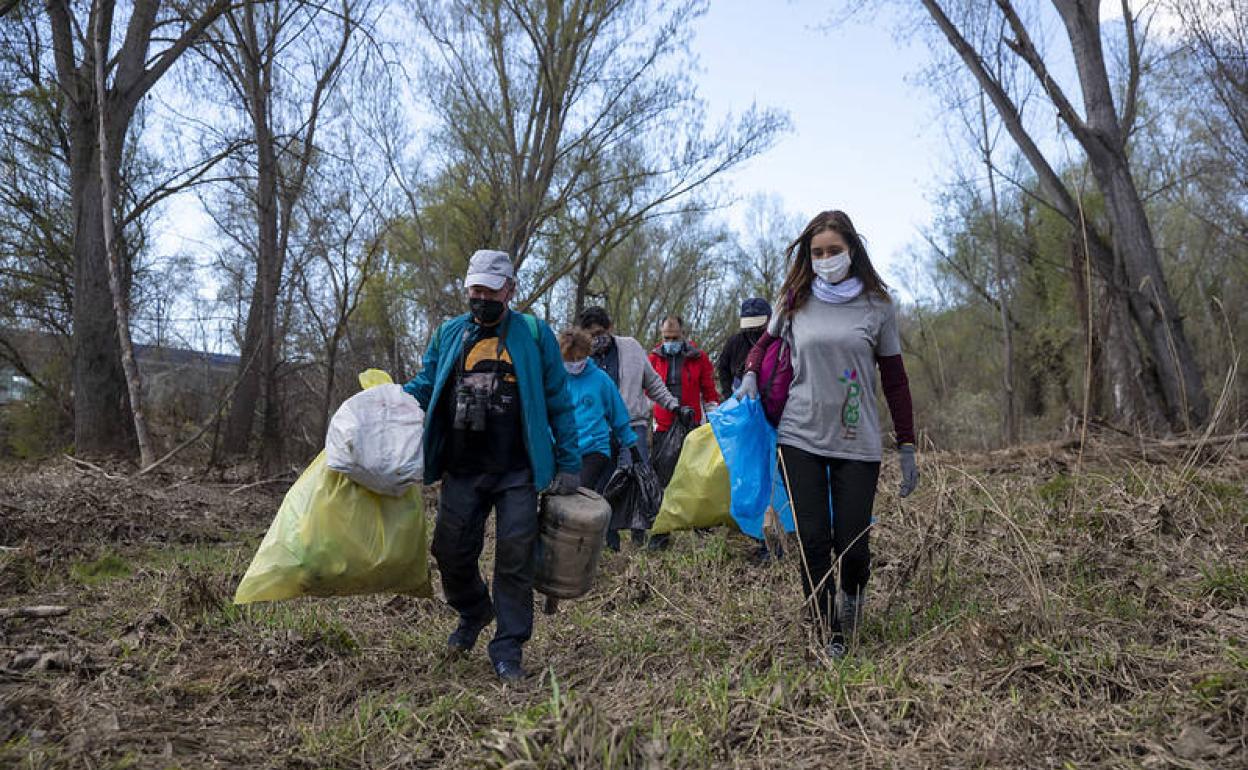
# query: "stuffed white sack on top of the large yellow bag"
375,440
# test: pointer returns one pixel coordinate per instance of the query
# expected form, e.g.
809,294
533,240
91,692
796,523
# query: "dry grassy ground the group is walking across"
1020,616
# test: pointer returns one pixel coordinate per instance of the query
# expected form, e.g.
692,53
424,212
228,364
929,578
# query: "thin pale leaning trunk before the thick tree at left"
120,294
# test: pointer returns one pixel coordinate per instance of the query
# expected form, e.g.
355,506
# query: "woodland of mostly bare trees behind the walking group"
1090,258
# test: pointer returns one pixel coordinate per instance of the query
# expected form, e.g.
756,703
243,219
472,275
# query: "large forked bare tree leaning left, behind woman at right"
1131,269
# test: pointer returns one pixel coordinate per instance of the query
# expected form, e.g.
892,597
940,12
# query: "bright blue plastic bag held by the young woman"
749,446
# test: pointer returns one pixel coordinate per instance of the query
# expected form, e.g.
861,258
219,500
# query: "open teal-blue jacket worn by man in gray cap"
546,406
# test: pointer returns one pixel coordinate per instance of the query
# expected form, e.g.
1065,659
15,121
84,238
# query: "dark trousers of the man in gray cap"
459,537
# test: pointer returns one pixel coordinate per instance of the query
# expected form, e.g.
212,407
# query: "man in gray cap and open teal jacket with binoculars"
500,427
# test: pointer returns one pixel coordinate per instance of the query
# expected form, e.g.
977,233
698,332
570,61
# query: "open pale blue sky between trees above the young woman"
864,139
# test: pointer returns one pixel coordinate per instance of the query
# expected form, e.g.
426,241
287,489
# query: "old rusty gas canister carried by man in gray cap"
571,532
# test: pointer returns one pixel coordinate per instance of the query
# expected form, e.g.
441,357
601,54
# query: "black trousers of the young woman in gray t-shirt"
852,485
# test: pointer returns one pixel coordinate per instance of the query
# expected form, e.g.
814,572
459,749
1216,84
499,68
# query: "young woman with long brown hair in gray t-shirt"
841,325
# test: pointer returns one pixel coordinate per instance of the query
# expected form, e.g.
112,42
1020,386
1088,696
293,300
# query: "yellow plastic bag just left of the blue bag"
700,494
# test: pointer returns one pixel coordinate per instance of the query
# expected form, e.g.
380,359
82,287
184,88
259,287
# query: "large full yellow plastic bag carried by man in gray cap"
333,537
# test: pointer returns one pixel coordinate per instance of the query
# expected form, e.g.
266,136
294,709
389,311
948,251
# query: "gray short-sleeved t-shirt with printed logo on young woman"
833,409
